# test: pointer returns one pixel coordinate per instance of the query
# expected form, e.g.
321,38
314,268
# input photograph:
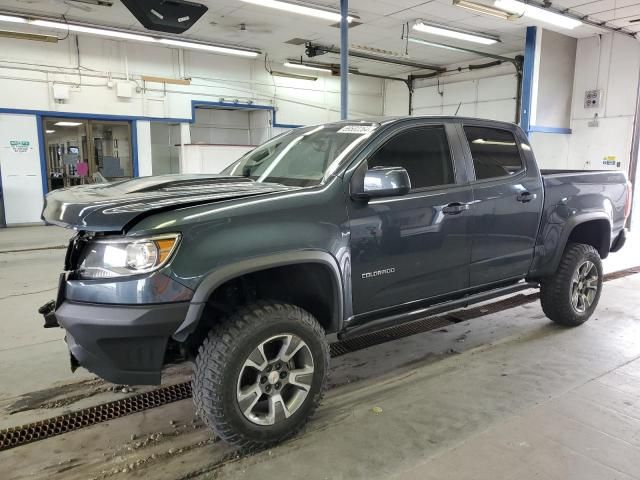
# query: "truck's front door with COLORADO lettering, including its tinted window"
416,246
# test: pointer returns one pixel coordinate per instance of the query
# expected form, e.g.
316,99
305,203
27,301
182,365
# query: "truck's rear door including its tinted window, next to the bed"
508,198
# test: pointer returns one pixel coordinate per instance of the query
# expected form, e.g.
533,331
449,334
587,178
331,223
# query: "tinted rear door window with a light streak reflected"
495,152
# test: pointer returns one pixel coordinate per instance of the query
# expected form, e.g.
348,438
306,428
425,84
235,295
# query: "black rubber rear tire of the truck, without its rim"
556,290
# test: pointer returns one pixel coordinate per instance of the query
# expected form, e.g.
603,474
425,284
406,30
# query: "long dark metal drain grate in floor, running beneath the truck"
21,435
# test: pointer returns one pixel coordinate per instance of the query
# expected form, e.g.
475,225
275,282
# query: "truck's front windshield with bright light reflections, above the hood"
301,157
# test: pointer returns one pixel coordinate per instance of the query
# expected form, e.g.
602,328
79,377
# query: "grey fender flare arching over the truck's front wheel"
237,270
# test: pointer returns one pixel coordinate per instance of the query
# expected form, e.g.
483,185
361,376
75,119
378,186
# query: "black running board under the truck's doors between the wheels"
367,326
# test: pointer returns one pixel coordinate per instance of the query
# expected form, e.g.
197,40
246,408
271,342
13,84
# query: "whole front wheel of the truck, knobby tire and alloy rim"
260,374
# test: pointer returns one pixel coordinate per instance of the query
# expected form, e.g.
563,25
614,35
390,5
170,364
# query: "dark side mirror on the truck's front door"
381,182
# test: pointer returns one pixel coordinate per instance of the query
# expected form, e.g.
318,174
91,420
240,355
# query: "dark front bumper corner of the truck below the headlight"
122,344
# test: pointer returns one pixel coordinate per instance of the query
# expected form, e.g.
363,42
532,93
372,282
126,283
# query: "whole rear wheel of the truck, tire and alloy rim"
570,296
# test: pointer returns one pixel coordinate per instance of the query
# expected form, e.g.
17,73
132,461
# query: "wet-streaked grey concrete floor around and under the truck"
508,395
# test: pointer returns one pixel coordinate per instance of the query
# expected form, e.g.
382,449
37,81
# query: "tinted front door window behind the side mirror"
423,152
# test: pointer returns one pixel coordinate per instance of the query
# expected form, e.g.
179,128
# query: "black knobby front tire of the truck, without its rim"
221,357
